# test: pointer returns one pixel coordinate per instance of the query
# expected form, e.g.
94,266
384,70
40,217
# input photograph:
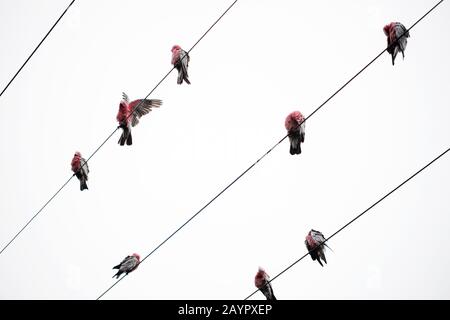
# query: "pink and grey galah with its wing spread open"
130,113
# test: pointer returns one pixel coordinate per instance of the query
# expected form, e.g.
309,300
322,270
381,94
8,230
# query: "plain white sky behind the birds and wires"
262,61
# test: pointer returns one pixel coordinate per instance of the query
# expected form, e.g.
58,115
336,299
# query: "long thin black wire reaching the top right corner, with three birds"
257,161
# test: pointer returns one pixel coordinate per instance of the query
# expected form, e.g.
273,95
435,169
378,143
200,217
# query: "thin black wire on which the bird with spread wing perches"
117,128
